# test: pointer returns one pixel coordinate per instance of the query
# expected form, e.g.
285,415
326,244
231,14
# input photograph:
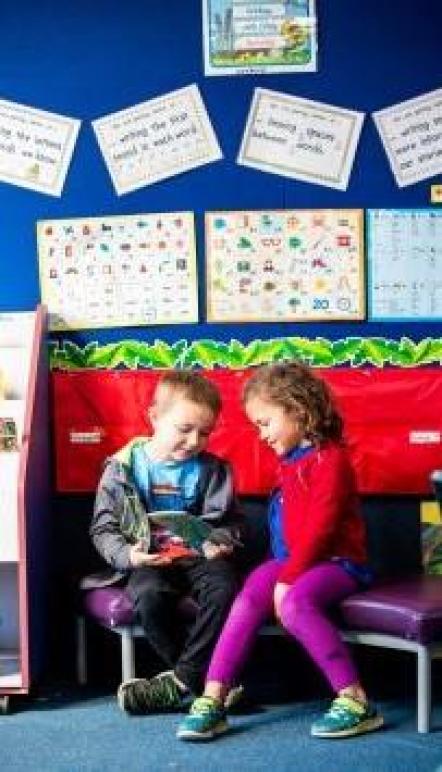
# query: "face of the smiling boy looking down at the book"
181,429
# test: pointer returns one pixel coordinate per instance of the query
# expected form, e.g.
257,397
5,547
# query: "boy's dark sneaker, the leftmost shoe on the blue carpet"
139,696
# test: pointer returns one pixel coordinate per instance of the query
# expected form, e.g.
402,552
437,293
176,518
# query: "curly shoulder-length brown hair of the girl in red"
297,389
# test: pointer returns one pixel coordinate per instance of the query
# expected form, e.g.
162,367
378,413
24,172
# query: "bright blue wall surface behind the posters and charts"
92,57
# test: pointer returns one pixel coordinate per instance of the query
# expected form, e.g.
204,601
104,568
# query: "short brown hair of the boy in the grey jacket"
189,385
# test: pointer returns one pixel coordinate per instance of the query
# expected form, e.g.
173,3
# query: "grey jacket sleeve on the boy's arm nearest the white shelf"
105,528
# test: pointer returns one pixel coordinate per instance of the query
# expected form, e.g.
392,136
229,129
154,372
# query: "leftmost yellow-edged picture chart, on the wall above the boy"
118,271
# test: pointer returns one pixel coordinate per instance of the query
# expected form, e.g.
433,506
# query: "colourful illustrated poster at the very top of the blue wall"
244,37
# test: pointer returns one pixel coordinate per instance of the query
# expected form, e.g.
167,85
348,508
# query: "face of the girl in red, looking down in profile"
277,426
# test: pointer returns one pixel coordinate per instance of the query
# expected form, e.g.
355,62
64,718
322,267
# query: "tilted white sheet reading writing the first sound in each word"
157,139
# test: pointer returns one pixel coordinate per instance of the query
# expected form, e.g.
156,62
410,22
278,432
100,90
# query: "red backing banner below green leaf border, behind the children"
393,421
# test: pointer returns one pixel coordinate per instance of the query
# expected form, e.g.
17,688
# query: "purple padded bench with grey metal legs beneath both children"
404,614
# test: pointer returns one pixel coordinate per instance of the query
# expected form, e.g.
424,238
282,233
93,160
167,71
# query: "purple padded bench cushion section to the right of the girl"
410,608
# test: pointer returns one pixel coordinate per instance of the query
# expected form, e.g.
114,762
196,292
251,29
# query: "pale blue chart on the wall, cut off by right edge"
404,252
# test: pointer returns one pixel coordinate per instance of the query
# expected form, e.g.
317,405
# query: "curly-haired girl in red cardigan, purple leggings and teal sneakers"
319,555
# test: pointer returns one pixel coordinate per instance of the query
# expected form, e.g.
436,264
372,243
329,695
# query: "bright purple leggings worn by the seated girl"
303,615
